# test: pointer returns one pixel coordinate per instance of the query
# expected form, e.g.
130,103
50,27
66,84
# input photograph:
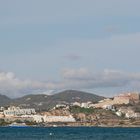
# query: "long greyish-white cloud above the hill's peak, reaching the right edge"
85,79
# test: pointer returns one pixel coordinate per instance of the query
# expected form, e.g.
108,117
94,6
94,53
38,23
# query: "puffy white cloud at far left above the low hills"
12,86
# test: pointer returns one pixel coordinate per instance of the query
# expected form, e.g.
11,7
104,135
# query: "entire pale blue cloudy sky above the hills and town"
89,45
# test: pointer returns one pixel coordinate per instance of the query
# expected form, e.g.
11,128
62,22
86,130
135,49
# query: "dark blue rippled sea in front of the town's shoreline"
69,133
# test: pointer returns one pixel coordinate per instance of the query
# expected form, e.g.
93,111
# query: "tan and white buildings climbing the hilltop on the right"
108,104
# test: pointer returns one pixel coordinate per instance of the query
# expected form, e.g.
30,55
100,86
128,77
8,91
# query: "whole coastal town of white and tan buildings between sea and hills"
122,110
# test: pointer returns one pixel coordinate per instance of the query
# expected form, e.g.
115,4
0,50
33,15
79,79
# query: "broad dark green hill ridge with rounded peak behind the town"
44,102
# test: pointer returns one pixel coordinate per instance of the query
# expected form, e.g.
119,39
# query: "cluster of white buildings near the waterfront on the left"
14,113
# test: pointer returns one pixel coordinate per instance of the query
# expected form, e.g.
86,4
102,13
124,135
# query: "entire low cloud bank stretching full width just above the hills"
81,78
